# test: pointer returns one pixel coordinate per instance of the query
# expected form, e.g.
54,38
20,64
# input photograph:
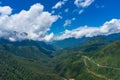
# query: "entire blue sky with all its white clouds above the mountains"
48,20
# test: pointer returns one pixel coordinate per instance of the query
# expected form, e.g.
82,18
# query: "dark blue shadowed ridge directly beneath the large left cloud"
42,46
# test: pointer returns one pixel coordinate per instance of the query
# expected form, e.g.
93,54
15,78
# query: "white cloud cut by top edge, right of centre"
83,3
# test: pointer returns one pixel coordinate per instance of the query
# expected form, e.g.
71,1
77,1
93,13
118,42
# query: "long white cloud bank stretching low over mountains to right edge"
109,27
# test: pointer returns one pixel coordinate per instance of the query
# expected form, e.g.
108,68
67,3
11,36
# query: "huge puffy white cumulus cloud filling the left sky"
32,24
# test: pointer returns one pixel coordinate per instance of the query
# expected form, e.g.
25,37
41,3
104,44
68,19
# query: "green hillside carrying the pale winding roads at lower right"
103,64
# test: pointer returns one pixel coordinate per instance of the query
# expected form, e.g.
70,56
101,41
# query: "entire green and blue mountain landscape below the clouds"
94,58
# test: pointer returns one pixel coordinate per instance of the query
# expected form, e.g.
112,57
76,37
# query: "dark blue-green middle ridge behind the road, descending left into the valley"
89,47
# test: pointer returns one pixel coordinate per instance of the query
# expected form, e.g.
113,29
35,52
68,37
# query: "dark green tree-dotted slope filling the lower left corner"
15,68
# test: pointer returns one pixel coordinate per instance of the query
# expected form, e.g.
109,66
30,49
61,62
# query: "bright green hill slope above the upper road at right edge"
109,55
